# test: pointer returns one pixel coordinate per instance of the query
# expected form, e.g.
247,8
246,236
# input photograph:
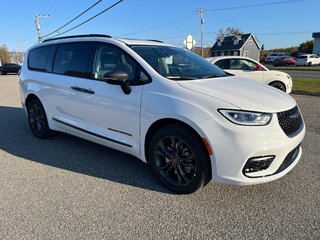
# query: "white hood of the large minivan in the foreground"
242,93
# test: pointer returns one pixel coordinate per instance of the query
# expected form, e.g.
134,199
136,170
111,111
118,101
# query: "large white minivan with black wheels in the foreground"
164,105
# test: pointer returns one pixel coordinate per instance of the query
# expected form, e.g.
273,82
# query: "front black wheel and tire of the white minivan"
179,159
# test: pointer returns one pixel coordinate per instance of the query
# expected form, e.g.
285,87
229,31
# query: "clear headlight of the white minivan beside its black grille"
246,118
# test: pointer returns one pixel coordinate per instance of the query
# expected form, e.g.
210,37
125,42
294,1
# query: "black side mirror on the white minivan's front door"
118,78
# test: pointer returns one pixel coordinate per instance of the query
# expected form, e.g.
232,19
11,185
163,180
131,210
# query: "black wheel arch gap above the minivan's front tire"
171,121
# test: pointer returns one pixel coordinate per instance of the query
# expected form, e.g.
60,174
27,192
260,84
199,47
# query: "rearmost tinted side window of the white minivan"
40,58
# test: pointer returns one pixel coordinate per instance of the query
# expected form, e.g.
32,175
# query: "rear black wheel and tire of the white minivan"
37,119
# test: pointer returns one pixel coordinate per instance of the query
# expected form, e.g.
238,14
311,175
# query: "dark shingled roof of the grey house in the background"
228,43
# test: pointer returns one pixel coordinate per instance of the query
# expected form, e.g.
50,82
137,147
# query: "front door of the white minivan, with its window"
110,112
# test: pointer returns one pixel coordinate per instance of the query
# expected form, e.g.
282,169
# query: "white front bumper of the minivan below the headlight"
234,145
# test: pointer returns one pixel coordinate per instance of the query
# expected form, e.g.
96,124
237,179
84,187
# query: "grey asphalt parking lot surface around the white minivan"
68,188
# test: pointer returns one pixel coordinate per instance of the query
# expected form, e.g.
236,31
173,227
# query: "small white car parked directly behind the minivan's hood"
251,69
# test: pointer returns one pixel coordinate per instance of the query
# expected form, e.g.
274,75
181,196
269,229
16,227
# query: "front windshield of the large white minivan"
177,63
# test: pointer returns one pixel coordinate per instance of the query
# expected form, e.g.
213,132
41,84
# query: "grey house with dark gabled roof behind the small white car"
244,45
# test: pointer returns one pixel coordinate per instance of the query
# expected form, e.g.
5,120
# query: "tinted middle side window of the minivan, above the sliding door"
74,59
